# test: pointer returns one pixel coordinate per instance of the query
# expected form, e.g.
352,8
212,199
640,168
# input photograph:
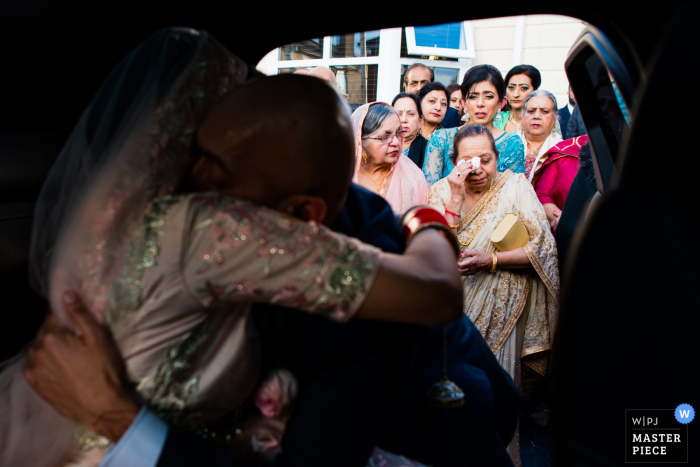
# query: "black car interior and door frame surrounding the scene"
629,315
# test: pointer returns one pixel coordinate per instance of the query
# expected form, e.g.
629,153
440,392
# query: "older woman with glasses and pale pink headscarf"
380,165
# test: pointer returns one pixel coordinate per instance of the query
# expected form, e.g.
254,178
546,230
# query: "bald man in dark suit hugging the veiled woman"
363,382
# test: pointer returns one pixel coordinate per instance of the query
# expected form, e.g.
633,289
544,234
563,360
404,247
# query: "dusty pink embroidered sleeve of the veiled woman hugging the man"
237,251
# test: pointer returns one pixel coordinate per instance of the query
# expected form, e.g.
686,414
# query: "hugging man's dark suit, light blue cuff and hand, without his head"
363,384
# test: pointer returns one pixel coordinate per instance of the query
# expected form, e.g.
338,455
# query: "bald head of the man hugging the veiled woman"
304,147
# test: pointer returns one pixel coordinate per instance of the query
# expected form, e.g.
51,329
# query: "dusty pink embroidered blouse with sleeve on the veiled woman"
191,347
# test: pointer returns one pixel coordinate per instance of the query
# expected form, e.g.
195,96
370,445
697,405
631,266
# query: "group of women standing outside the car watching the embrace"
508,157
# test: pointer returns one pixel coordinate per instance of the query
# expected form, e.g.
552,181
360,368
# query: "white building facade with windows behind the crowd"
370,65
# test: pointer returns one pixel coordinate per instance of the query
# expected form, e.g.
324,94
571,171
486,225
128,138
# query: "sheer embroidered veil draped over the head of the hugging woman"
134,143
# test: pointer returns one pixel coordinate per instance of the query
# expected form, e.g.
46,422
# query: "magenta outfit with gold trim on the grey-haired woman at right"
553,179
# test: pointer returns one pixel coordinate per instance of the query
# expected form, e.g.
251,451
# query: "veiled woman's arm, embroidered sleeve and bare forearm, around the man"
237,251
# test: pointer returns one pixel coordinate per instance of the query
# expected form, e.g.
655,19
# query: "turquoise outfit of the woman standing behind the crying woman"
438,165
